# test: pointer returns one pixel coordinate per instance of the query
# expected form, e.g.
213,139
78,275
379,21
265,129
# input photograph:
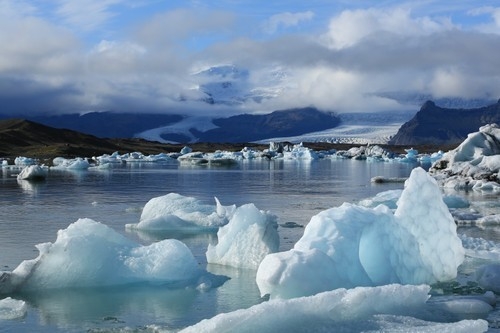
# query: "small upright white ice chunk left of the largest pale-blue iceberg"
250,235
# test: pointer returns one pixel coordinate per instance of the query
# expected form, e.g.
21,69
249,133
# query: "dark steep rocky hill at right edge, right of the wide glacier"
437,125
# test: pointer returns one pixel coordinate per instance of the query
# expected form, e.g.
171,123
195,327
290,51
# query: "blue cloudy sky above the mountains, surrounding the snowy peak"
77,56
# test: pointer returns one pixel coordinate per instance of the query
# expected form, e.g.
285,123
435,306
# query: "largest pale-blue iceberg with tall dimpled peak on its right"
350,246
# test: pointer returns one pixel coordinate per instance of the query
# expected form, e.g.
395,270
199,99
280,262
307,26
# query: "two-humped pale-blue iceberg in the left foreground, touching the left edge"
90,254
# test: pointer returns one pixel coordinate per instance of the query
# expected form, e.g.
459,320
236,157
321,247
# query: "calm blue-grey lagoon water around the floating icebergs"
32,214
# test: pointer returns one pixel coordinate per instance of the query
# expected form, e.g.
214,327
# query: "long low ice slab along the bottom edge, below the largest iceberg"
390,308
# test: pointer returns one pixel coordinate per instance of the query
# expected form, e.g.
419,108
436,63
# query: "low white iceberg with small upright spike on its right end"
177,212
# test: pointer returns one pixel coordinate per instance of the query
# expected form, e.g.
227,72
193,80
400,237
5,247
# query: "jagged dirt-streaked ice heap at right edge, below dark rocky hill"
474,162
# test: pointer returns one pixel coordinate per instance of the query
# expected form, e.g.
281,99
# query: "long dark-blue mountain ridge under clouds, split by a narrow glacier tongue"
235,129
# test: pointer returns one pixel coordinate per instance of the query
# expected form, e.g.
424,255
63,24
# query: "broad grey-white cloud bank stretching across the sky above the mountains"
359,54
